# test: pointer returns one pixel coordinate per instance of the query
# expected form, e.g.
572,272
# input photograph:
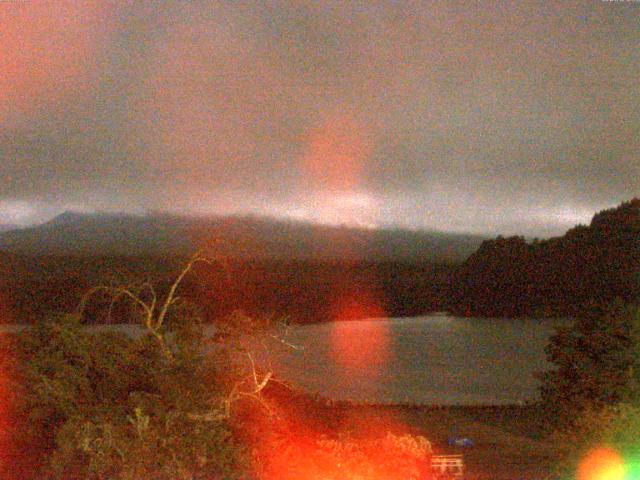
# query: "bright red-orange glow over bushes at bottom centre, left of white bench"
305,439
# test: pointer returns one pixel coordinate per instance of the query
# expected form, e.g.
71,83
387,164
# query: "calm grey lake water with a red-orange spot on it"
441,360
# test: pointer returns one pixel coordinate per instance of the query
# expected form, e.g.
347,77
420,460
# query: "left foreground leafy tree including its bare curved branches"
108,404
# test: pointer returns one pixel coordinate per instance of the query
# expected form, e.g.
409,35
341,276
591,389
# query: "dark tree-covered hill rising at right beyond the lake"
589,265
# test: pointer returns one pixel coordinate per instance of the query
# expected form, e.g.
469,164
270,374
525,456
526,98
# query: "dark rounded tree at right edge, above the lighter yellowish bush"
596,363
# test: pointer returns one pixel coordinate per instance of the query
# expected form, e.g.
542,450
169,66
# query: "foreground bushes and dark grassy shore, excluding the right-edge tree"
106,406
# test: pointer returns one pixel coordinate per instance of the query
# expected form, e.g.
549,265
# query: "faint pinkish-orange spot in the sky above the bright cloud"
335,157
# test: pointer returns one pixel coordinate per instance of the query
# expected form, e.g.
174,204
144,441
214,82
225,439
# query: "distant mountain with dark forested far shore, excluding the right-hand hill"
305,271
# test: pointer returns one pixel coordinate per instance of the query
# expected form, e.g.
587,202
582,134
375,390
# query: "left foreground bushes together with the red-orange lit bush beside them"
86,405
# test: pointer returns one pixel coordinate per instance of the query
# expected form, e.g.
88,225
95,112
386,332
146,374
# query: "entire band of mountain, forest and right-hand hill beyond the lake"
304,270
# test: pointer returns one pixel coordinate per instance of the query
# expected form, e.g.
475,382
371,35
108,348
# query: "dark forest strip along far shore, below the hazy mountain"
302,290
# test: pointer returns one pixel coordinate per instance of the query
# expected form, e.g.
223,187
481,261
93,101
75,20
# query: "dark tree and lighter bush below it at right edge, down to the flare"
592,396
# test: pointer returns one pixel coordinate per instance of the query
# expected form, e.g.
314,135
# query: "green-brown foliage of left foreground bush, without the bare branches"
109,405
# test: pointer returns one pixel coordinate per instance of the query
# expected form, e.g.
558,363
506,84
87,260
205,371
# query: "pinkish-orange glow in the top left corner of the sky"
46,48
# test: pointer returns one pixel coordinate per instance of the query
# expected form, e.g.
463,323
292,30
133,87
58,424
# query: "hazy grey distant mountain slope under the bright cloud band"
239,237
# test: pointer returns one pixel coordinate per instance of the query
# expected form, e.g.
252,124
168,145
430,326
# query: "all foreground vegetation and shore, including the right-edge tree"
87,404
